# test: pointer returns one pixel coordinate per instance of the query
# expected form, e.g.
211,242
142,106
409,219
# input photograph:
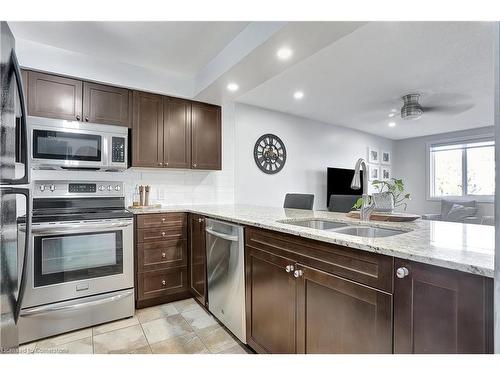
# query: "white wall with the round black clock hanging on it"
311,146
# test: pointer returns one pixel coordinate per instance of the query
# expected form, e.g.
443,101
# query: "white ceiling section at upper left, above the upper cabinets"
183,47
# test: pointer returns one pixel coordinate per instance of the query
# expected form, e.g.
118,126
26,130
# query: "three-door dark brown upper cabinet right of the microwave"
185,135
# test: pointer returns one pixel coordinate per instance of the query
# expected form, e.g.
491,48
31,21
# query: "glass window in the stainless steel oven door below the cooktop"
62,258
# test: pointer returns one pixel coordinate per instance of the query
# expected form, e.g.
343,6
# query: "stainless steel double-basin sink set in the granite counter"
352,230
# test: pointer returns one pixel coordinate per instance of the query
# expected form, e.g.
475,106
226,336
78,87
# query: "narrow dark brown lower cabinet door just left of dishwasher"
197,258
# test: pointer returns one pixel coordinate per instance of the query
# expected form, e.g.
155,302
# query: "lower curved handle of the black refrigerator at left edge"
27,241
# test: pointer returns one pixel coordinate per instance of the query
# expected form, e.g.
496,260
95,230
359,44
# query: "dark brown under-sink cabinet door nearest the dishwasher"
270,302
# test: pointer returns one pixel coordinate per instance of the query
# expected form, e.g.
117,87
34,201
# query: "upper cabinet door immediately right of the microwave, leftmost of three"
147,130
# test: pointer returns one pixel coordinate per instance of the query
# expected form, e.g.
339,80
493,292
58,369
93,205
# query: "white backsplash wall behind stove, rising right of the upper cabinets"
172,187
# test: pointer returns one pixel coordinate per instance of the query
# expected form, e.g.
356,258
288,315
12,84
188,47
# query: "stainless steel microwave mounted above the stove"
74,145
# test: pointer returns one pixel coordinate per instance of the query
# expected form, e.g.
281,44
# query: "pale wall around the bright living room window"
410,163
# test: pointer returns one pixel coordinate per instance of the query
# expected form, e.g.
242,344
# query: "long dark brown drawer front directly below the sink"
364,267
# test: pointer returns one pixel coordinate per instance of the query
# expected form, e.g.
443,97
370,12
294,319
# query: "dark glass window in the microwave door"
66,146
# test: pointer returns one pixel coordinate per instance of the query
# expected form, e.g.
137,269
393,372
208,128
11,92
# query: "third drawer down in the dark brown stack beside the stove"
164,254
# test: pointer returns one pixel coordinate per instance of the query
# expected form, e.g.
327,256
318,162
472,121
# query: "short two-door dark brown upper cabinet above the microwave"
72,99
